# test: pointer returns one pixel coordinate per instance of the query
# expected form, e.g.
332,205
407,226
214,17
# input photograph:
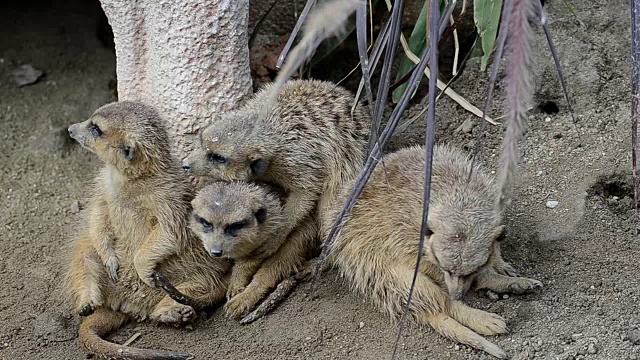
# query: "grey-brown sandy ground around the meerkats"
583,250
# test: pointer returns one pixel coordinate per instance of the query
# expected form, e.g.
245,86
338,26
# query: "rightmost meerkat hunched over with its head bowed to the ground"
376,249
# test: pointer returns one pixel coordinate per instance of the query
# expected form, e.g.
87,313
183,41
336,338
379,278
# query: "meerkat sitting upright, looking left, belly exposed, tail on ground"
137,224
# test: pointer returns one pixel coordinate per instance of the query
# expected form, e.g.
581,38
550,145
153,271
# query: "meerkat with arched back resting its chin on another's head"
309,145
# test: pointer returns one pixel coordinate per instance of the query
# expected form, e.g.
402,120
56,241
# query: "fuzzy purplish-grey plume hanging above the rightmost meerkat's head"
518,93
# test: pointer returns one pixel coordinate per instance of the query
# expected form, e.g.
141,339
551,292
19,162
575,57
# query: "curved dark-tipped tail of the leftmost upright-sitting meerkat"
103,321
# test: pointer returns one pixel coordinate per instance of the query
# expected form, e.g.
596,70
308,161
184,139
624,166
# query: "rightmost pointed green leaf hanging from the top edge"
486,15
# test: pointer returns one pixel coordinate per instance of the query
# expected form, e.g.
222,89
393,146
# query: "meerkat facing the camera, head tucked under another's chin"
242,221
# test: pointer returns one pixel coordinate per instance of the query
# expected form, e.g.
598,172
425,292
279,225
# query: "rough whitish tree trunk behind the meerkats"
188,58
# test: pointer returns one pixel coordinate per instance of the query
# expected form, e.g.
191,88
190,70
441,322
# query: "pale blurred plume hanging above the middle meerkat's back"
322,23
